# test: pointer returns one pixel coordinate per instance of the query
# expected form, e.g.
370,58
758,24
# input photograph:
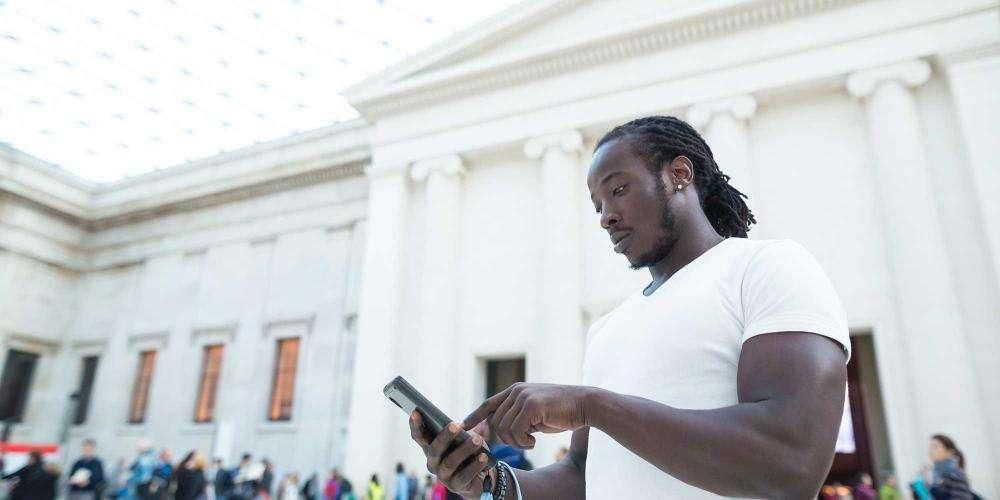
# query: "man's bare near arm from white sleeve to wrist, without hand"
776,443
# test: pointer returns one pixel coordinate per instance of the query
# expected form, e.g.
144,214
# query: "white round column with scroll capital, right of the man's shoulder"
931,334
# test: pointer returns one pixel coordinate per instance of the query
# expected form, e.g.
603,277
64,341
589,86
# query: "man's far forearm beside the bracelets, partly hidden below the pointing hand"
561,480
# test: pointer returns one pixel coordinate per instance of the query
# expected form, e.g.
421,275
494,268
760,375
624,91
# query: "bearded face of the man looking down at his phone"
633,204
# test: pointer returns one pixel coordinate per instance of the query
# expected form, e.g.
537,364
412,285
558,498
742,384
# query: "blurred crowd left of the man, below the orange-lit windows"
153,475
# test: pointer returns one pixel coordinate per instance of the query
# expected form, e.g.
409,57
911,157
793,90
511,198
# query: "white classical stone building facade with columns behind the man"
447,235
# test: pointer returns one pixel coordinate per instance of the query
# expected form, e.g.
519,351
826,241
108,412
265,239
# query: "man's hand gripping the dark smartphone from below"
460,467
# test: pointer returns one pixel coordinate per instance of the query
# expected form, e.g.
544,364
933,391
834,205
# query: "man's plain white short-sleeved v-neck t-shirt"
681,345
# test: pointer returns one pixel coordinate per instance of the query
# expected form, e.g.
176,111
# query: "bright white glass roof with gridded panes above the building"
112,88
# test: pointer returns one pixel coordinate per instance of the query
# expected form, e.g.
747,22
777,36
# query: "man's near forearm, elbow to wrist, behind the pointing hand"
732,451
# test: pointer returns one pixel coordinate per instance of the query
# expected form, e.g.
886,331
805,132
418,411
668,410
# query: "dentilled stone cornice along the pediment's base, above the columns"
654,37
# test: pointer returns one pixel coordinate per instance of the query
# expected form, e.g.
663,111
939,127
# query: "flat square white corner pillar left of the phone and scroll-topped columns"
372,433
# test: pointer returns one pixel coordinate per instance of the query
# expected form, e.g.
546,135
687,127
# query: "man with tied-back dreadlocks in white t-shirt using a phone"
724,376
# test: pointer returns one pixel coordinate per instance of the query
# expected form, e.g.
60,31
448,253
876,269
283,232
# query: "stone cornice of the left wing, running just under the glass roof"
302,160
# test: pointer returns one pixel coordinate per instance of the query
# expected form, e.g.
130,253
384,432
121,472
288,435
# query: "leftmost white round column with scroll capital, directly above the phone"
439,282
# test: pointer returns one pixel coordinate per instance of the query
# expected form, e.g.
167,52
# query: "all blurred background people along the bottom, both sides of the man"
152,475
